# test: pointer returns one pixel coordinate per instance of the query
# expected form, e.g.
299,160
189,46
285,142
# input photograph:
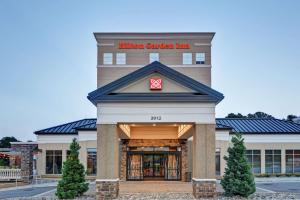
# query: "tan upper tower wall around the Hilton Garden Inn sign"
137,58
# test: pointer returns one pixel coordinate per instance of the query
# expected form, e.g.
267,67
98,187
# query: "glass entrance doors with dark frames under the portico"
156,165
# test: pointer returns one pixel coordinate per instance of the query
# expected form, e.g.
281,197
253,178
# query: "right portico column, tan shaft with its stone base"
204,177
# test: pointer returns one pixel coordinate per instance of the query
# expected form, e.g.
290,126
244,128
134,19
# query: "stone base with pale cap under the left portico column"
107,189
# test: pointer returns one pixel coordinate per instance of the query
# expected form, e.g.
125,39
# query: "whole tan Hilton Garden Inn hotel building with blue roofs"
156,119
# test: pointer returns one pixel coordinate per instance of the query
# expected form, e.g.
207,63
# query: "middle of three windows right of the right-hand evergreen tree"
273,161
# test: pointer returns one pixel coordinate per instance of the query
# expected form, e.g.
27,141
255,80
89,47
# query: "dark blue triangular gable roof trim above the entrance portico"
203,93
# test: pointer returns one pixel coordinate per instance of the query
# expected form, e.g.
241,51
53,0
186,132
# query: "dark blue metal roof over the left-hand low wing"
67,128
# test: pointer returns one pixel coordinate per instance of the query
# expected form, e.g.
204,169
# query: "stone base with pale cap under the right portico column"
204,188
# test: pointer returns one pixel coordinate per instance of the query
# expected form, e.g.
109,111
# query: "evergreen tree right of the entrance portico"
238,178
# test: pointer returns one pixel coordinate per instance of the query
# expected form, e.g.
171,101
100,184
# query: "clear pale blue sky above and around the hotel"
48,54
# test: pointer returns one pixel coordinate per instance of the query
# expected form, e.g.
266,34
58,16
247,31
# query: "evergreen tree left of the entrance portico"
72,183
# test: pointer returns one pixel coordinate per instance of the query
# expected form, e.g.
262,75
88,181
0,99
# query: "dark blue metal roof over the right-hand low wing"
259,125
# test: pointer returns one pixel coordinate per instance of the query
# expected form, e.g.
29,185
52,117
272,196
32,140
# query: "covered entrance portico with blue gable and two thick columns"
181,108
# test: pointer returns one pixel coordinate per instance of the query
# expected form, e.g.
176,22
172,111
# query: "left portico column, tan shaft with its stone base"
107,182
